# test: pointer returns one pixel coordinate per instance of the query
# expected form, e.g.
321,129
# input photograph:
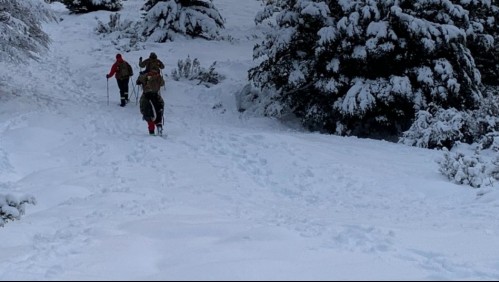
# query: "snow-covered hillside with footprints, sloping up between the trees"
226,195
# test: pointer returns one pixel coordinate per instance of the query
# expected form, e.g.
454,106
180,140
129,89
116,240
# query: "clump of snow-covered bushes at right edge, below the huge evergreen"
478,166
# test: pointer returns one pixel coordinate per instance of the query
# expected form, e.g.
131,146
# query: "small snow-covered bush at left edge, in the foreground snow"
12,207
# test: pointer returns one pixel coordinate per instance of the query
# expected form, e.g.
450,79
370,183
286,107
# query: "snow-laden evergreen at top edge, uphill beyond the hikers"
164,19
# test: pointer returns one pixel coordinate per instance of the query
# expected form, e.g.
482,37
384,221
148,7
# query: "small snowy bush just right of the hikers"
192,70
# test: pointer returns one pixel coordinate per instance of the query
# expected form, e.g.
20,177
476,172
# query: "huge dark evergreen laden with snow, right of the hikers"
366,67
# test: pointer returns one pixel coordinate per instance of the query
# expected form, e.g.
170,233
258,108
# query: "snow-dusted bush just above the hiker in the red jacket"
123,34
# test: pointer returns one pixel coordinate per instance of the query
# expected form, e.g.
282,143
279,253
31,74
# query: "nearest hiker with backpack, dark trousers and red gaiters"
151,103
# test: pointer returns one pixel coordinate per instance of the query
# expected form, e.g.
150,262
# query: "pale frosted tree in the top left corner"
21,35
